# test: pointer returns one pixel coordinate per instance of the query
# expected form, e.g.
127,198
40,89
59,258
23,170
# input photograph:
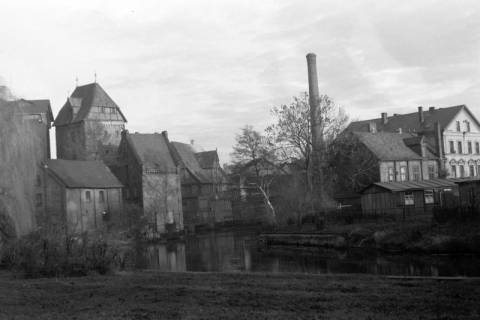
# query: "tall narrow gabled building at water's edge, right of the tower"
152,181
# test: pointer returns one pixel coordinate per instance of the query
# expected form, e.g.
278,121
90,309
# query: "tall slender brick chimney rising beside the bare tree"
316,130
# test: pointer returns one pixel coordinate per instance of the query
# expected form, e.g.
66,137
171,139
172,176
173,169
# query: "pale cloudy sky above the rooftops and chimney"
204,69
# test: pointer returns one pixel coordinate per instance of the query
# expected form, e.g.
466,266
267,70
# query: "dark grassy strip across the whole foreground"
152,295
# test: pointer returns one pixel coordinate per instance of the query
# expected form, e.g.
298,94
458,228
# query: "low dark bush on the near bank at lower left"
39,255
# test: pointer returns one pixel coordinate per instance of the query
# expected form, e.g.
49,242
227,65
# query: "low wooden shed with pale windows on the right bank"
413,197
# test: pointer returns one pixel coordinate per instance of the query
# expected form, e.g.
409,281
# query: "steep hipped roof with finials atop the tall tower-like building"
85,97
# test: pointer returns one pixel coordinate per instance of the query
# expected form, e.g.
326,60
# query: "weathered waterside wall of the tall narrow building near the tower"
162,201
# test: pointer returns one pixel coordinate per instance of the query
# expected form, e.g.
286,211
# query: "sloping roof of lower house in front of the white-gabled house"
391,146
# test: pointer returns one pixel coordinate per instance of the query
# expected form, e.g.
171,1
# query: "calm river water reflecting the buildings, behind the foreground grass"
232,252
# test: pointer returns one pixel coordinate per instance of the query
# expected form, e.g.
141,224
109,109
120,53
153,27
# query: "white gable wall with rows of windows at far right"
450,133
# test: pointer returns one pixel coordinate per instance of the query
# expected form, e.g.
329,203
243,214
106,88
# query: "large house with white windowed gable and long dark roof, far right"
454,133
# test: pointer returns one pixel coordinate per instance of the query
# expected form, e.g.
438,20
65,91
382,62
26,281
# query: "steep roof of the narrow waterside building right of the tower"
152,151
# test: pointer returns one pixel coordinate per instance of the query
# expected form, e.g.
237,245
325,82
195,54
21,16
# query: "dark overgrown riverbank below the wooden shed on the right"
413,236
